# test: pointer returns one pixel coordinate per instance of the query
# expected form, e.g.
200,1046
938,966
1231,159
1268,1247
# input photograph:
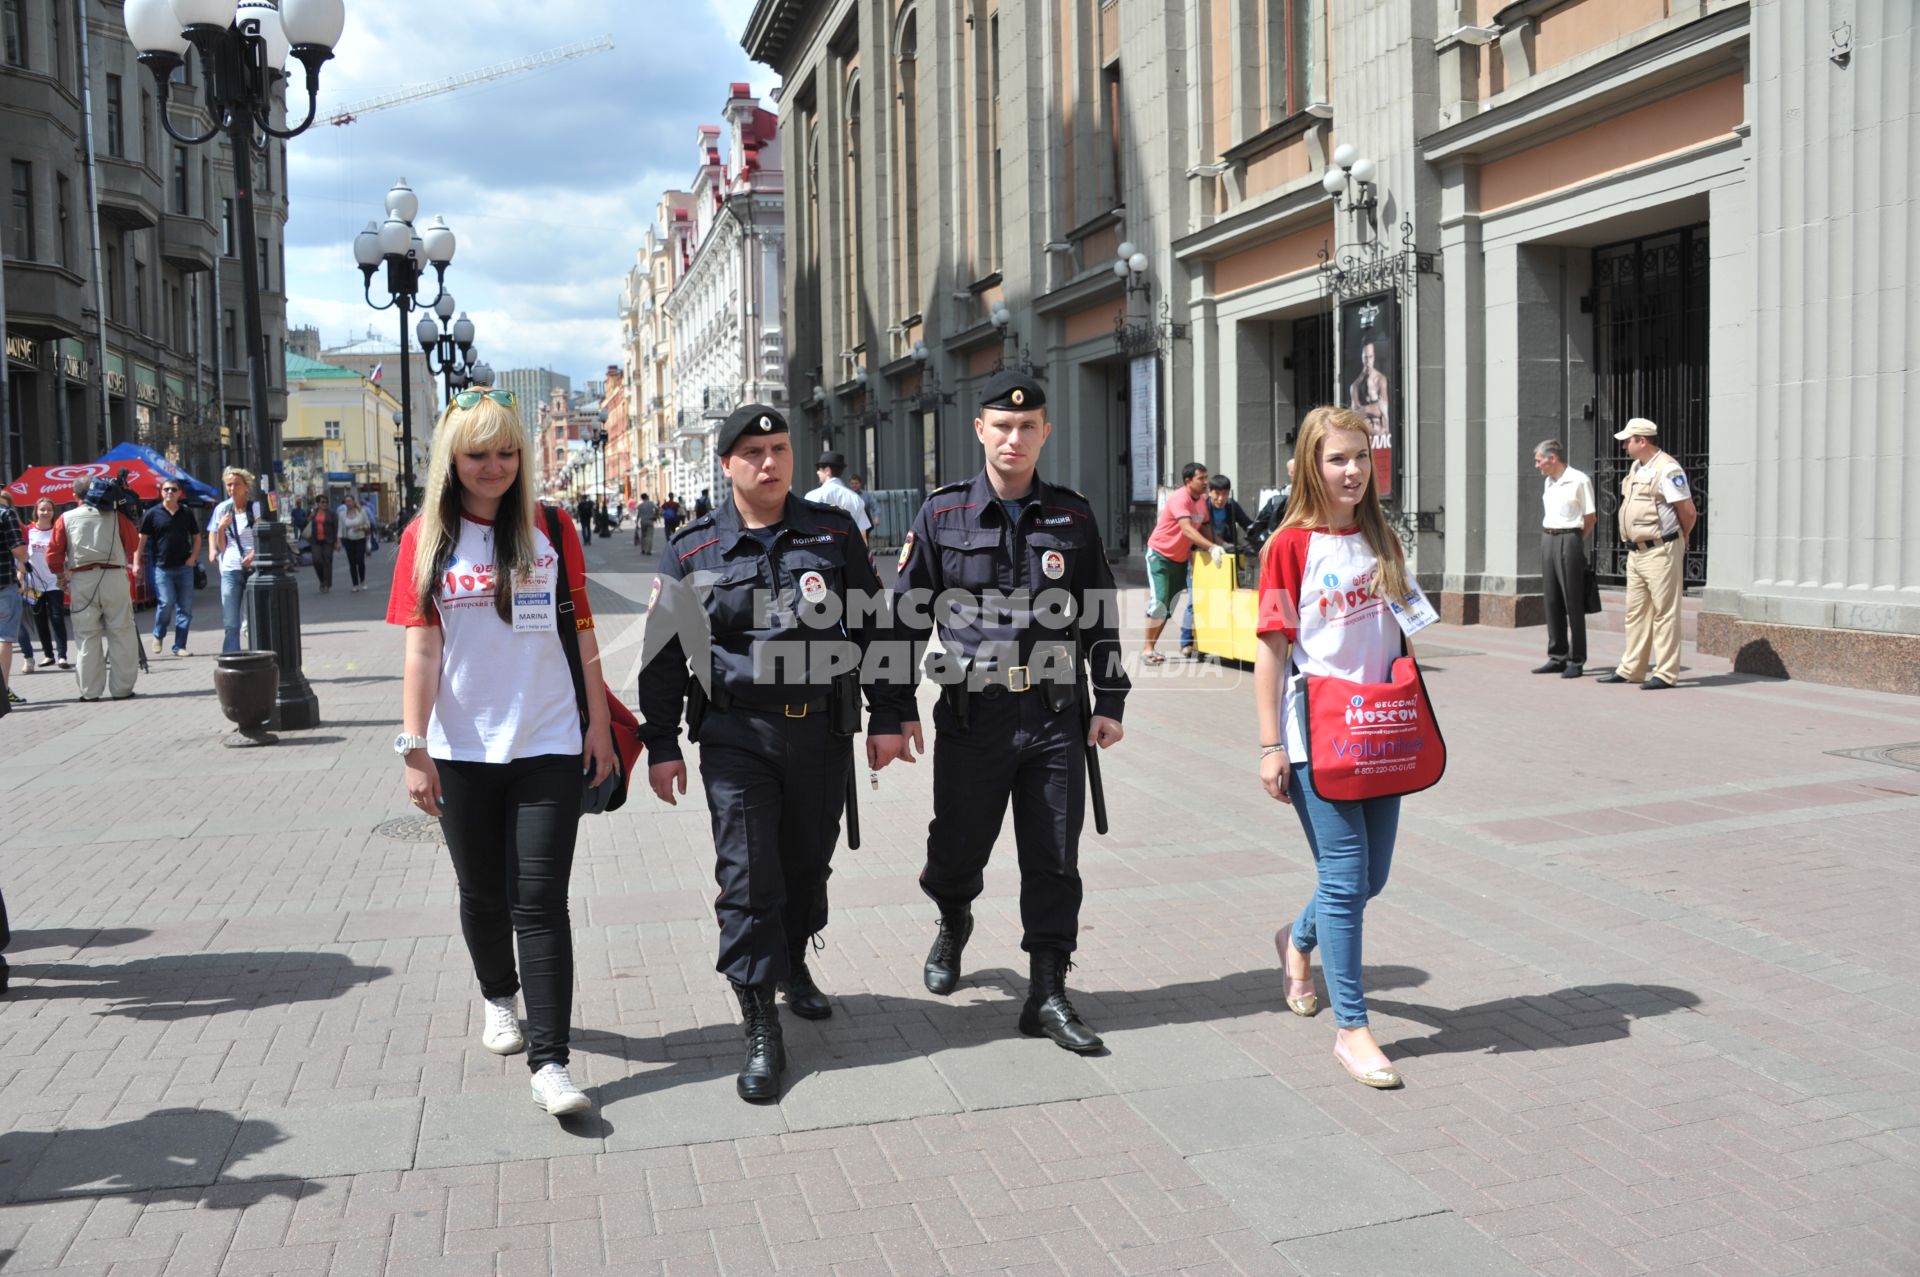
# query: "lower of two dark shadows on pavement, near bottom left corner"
168,1149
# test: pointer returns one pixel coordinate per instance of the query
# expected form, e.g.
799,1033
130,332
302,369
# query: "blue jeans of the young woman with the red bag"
1353,850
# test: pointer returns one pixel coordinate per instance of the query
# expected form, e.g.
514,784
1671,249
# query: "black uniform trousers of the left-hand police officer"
777,788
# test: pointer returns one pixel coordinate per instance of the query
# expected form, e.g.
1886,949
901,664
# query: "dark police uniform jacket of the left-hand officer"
773,619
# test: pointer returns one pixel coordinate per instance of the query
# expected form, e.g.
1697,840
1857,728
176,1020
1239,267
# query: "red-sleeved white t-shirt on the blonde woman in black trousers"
504,694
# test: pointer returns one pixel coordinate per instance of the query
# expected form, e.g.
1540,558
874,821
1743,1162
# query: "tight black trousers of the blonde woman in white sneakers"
512,832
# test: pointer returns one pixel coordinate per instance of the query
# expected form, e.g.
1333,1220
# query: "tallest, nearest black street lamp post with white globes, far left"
243,53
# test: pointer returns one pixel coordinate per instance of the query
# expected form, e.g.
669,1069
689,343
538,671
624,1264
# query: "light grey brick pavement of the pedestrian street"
1648,967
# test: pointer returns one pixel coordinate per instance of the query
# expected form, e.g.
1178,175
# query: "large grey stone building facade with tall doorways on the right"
1483,224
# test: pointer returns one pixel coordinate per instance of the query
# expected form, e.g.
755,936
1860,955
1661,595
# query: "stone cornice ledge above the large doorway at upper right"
1675,60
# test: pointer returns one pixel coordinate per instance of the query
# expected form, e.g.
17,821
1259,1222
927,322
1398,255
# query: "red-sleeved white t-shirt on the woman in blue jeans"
1320,590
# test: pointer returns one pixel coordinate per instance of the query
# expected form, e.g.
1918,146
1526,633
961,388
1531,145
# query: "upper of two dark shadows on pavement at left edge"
195,986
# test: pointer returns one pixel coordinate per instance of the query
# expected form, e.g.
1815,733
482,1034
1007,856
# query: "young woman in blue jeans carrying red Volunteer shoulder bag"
1332,587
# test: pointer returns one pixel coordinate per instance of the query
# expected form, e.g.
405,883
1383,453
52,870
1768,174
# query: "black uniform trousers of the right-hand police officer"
1011,748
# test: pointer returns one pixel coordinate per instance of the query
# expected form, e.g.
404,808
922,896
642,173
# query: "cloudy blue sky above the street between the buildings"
546,178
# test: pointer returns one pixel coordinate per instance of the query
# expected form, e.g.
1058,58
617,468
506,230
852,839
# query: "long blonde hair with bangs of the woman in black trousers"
483,427
